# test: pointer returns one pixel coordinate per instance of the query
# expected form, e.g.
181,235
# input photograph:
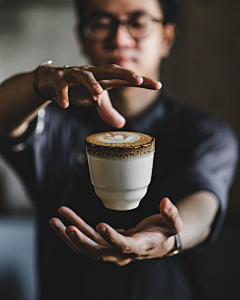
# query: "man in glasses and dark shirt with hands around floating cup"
194,162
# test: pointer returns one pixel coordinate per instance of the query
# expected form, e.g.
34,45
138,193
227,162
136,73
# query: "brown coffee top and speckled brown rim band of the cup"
119,144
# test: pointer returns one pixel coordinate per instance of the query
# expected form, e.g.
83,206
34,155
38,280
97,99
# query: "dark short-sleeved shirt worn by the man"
194,152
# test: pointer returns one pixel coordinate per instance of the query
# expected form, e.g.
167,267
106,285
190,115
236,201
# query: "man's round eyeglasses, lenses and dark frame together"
104,27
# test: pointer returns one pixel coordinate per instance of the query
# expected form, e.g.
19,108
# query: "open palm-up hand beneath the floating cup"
151,238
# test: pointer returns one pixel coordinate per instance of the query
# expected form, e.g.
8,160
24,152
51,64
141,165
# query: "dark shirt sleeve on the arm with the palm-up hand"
209,162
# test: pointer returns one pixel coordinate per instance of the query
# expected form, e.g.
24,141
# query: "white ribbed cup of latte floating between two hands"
120,165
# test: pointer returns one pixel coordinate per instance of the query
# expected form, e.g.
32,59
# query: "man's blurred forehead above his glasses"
124,7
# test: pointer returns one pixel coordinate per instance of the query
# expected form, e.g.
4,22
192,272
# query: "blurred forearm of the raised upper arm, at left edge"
18,104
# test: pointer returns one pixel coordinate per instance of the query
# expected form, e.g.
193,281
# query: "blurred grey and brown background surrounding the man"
203,70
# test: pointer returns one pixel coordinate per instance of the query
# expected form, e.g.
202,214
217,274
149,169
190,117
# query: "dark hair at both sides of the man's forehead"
168,8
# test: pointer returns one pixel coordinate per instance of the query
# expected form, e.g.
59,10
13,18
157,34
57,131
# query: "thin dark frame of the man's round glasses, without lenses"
87,32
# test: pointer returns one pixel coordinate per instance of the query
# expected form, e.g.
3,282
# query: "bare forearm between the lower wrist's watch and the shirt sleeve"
197,212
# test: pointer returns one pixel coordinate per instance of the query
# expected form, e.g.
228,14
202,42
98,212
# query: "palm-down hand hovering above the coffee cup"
88,85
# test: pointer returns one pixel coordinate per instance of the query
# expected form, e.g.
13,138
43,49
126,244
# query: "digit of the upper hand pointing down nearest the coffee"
109,114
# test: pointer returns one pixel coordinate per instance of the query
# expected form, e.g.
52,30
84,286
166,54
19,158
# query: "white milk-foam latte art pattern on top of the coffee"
117,137
